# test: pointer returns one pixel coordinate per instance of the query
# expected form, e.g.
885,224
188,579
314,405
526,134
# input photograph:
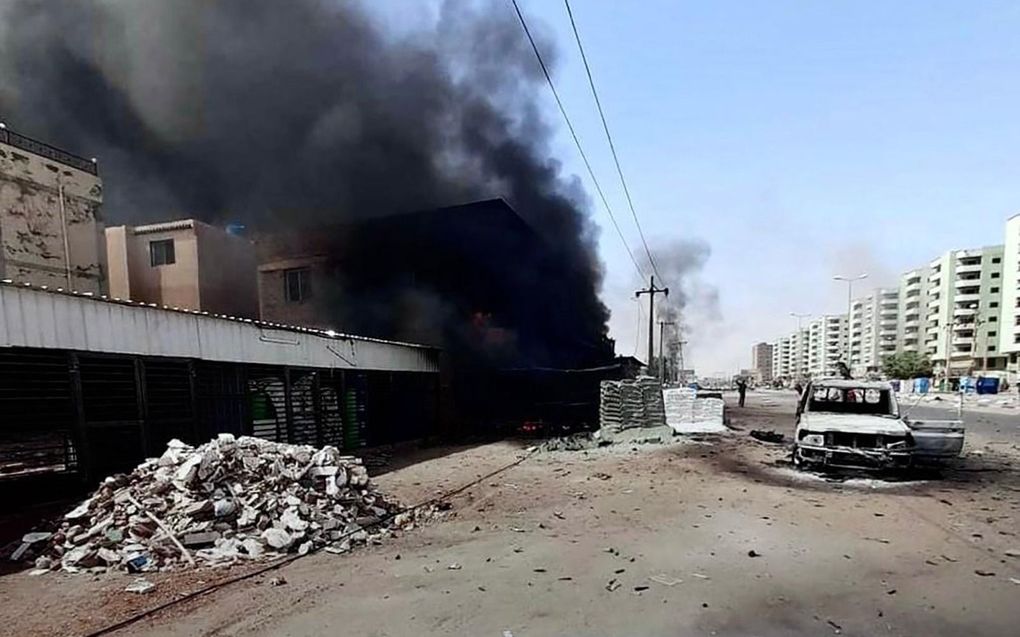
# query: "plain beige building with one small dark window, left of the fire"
184,264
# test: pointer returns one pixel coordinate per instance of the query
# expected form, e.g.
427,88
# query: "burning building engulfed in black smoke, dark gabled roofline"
475,279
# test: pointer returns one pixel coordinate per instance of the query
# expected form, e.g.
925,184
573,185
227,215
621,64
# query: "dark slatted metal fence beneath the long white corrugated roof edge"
89,415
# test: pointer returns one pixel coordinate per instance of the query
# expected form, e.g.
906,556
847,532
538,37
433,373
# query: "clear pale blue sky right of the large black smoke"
798,139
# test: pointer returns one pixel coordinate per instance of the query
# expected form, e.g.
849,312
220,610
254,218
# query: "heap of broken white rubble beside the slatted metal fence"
229,501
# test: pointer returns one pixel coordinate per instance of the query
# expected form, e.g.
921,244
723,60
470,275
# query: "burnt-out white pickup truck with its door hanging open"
857,424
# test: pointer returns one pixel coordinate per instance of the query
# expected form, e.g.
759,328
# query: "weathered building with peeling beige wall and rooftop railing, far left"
52,229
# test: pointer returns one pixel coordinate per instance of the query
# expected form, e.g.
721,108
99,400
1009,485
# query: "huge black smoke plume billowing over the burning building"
297,114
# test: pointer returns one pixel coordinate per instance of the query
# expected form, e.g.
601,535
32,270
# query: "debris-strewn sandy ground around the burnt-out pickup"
669,528
